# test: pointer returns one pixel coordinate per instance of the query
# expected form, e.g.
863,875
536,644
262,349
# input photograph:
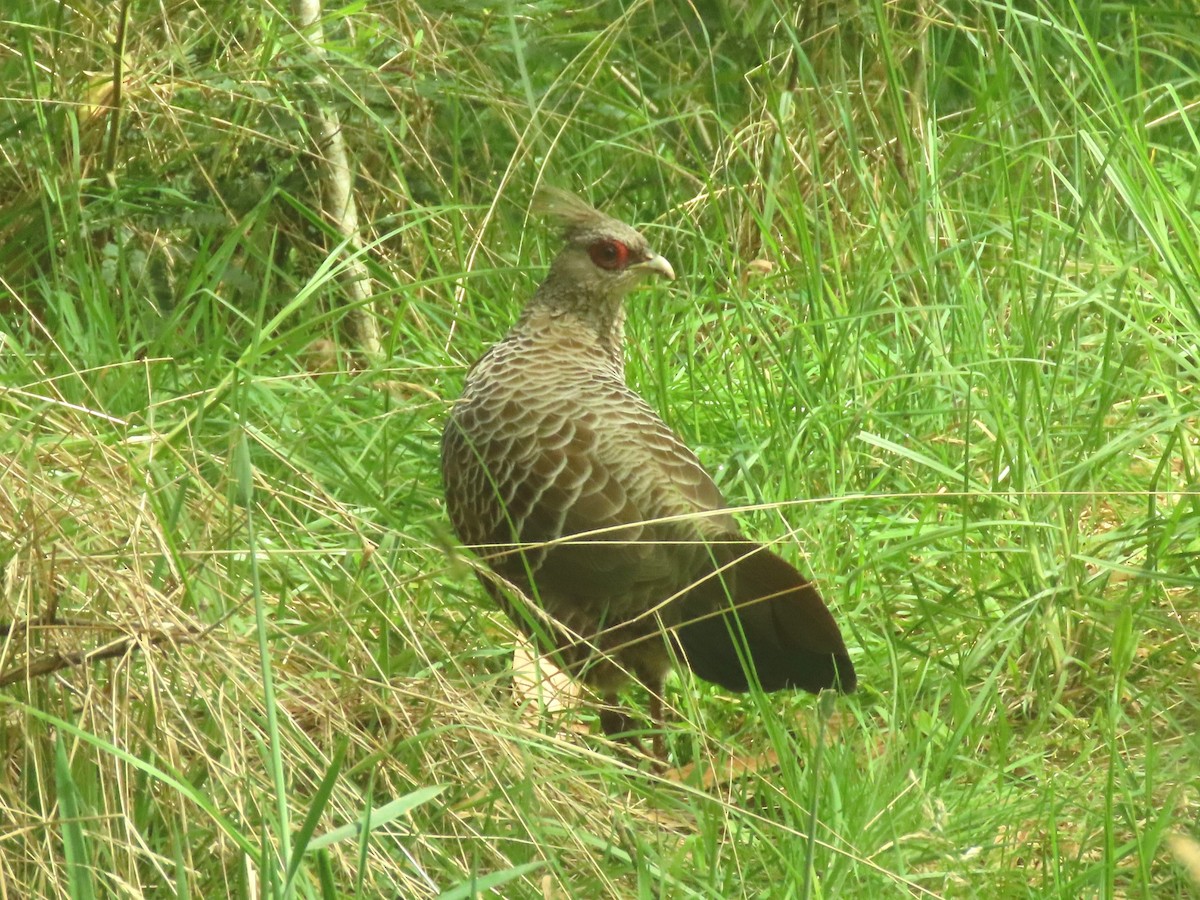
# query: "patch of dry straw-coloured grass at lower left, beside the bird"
133,640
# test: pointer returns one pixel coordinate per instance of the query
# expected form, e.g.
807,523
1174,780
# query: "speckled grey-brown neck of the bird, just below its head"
595,317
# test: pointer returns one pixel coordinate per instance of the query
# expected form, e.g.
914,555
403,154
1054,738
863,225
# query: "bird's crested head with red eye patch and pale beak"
603,256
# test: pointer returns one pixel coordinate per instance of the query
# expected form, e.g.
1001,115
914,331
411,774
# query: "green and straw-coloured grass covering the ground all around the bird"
938,332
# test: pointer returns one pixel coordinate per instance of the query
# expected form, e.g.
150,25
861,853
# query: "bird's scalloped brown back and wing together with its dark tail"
601,514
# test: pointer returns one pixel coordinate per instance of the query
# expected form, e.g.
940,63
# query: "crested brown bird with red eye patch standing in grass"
605,539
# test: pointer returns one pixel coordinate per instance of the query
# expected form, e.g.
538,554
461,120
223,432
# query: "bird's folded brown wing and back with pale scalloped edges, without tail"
598,493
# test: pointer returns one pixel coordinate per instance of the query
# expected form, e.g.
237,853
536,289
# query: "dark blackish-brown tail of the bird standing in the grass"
778,625
